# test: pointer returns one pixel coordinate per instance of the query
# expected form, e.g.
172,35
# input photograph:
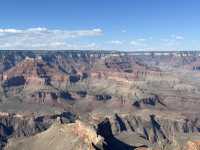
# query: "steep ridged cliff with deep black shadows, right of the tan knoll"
136,131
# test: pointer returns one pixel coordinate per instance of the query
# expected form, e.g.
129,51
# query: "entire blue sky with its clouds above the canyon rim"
100,24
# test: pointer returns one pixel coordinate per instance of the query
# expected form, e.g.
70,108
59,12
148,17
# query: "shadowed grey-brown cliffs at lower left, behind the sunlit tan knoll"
15,125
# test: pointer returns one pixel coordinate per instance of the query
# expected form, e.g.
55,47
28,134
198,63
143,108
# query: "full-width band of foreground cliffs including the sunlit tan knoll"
66,131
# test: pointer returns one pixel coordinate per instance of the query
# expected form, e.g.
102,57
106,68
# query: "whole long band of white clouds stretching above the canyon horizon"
57,39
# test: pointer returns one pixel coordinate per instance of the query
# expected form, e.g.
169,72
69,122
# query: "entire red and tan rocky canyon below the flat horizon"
99,100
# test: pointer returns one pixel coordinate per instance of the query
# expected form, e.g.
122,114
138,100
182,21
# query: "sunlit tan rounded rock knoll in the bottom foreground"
60,137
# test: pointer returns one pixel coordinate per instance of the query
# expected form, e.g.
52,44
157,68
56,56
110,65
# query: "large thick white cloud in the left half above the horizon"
43,38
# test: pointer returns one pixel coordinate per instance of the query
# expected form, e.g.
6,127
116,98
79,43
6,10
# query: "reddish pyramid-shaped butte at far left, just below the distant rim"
35,71
